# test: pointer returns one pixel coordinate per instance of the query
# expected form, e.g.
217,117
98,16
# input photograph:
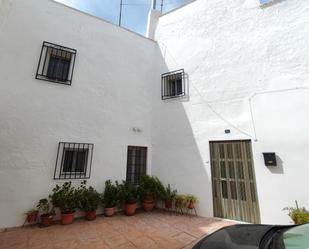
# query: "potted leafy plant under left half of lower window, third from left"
64,198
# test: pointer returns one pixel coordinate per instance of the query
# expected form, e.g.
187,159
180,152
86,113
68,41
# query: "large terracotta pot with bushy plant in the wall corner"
150,189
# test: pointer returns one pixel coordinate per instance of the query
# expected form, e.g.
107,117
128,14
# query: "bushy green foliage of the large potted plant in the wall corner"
150,187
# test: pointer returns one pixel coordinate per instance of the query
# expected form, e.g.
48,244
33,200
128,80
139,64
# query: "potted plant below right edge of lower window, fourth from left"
88,200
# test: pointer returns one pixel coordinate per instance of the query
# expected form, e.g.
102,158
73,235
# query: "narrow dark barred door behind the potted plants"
136,164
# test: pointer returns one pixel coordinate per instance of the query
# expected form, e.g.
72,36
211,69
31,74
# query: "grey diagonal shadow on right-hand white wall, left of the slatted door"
176,157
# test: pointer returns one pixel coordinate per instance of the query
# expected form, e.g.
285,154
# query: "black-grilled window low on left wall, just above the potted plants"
73,161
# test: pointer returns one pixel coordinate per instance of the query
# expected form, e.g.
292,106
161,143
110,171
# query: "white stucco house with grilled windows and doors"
215,101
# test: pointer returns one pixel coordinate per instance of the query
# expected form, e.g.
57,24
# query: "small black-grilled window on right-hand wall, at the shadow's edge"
173,84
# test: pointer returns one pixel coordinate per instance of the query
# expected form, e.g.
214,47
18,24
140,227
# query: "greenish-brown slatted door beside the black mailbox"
233,181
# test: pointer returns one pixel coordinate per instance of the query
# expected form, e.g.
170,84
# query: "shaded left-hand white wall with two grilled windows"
109,96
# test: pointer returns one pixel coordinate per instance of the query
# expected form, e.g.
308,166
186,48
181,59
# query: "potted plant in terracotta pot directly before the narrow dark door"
129,196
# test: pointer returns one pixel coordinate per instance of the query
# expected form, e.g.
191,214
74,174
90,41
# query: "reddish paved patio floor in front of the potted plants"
144,230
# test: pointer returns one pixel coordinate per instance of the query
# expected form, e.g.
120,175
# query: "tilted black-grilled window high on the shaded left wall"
56,63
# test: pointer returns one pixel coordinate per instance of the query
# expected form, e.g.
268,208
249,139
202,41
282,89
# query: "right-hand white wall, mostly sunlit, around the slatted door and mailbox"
233,51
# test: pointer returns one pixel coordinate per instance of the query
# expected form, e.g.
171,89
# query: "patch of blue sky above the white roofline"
134,15
